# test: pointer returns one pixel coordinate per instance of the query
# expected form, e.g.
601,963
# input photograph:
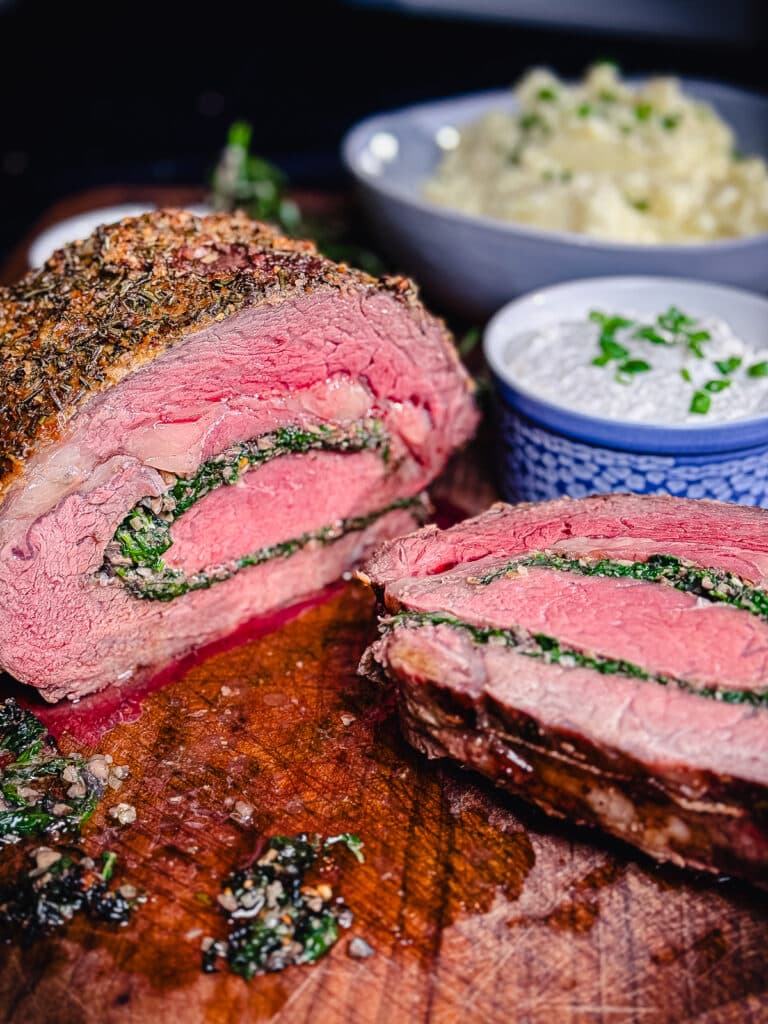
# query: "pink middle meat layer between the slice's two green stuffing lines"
669,631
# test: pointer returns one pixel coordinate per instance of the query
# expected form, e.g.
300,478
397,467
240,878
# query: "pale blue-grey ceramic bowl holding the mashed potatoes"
474,265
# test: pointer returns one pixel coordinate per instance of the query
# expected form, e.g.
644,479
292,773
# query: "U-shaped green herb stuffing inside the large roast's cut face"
136,554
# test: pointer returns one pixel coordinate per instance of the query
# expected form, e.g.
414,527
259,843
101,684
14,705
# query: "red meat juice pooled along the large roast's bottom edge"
93,717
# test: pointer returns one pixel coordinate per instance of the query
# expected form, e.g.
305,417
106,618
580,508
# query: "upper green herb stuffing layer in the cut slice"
712,584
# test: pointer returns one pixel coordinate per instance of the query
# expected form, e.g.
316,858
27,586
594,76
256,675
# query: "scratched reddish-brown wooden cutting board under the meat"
478,907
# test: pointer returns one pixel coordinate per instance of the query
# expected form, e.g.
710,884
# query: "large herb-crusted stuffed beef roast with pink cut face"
201,422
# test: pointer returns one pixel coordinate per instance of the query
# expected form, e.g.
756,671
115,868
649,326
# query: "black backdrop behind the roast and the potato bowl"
99,93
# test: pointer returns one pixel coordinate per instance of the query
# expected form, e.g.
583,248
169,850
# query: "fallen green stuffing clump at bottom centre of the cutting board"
276,918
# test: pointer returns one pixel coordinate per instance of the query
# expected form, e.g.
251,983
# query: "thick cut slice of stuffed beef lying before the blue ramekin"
607,659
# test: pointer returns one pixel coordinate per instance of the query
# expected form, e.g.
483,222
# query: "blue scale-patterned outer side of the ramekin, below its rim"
538,465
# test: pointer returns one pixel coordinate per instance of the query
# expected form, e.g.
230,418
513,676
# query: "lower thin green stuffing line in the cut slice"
552,651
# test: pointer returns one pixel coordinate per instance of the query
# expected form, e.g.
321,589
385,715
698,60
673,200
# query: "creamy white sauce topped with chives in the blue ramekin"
554,363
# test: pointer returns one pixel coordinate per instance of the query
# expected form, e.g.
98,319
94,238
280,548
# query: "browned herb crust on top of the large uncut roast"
103,308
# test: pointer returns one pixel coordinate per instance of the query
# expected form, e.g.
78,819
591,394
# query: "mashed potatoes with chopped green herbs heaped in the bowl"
642,165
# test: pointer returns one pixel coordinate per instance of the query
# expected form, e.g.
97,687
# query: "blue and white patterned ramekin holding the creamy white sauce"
546,451
